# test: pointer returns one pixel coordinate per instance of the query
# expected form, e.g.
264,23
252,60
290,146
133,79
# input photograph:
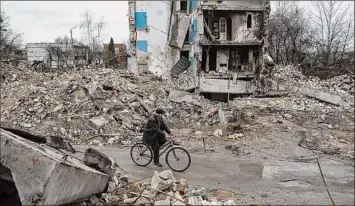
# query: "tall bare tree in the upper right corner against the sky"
333,29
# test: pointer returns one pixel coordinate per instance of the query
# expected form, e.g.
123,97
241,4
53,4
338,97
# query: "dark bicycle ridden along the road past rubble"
145,152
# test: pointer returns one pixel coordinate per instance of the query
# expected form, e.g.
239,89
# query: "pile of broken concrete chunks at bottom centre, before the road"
163,189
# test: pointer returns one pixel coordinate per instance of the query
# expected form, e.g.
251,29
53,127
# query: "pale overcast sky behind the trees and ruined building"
43,21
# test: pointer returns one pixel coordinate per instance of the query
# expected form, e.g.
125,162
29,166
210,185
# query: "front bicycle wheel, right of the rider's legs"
178,159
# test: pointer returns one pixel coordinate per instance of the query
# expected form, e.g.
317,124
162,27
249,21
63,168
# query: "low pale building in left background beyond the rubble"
57,55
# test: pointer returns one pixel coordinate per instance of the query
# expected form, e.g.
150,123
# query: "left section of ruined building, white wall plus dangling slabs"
157,35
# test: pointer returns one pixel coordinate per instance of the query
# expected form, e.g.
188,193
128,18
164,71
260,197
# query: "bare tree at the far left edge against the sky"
9,40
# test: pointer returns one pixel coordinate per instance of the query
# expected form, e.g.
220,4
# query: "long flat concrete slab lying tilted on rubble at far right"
322,96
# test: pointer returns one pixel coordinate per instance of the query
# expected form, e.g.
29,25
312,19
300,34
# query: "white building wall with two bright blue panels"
149,32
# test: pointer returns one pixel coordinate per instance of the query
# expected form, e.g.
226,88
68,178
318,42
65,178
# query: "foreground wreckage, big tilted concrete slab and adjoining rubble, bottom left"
35,170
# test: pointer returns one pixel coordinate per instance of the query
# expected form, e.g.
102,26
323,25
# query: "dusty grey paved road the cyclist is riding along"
256,182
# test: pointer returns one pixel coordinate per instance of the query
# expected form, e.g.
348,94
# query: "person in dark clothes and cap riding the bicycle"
154,135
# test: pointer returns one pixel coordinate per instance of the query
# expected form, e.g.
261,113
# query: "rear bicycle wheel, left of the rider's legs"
141,154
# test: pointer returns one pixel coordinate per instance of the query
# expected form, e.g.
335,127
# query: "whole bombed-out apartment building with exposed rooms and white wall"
224,42
